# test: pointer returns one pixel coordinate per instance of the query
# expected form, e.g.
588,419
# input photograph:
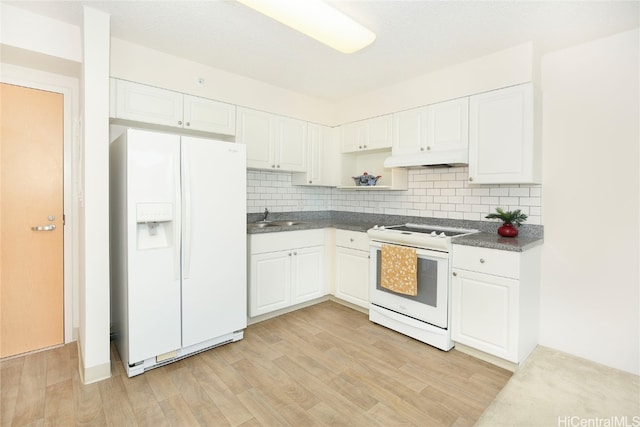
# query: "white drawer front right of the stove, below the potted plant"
488,261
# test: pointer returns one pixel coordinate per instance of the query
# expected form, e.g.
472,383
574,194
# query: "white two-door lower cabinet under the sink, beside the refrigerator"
285,269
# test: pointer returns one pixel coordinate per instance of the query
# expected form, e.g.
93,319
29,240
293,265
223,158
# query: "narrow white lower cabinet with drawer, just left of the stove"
352,267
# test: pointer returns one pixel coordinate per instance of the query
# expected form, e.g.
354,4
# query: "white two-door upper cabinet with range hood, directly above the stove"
431,135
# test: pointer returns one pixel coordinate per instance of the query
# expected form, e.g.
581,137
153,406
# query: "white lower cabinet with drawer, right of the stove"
495,301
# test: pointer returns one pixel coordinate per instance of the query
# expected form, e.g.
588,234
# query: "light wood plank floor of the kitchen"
322,365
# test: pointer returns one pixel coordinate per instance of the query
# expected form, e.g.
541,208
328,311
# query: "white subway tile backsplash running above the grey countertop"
433,192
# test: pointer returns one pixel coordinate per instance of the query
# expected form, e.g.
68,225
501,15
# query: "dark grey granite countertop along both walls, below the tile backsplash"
530,235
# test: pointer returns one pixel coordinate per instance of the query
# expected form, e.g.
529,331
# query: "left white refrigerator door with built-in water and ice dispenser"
154,222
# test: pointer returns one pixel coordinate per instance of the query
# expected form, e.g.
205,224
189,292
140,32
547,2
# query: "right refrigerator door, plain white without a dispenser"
214,289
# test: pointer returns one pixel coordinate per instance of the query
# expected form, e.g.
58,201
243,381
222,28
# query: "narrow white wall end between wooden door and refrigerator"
95,357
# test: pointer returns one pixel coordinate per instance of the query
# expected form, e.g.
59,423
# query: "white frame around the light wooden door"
72,166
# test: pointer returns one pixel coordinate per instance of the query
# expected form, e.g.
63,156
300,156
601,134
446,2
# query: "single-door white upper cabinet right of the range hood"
502,147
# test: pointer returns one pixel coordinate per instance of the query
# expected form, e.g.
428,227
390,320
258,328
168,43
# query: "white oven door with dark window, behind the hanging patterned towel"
431,303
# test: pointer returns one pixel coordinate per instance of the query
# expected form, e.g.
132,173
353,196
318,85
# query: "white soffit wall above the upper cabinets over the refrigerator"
140,64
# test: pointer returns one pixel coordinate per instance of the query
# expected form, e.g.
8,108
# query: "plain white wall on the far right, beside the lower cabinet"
590,296
